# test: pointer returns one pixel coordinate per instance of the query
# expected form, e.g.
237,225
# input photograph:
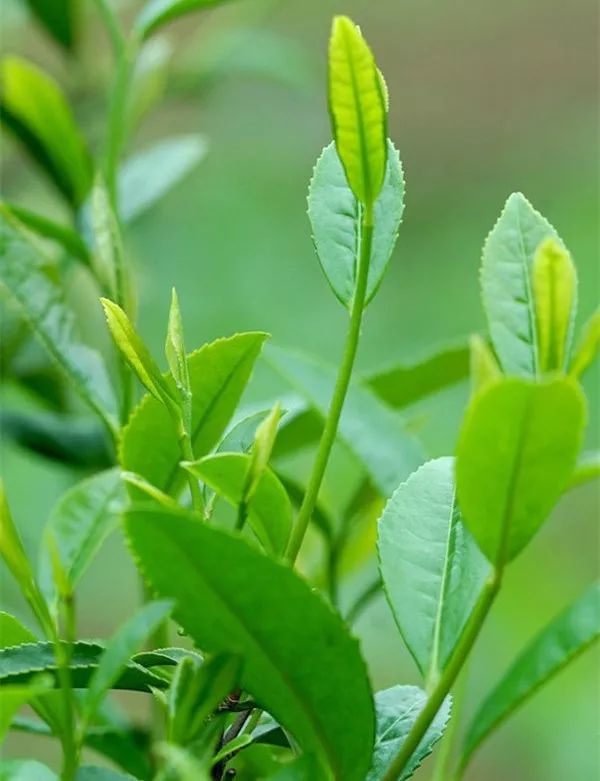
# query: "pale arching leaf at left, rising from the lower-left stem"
80,523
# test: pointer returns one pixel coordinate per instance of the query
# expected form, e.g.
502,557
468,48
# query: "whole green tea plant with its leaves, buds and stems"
266,680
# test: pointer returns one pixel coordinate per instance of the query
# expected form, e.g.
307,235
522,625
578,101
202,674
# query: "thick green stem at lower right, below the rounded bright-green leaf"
454,666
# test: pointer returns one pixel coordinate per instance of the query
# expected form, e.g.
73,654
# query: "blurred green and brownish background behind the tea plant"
487,98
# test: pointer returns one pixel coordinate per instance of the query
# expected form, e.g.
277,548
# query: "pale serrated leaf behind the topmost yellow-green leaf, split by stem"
335,218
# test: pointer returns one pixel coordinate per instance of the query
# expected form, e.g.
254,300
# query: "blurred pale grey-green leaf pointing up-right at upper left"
148,175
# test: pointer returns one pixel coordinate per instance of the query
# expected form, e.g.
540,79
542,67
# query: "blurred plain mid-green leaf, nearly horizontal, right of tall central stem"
405,384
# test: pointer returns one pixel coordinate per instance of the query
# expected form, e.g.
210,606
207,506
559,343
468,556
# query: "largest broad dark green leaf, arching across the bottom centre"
299,662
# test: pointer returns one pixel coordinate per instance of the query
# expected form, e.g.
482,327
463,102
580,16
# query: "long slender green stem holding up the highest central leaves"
340,390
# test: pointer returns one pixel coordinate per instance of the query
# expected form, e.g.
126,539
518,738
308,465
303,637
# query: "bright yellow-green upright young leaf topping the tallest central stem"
358,112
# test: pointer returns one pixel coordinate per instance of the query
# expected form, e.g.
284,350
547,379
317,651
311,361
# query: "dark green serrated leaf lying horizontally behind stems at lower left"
18,664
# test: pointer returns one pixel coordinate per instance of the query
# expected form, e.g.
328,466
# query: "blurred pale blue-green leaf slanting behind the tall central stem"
371,430
